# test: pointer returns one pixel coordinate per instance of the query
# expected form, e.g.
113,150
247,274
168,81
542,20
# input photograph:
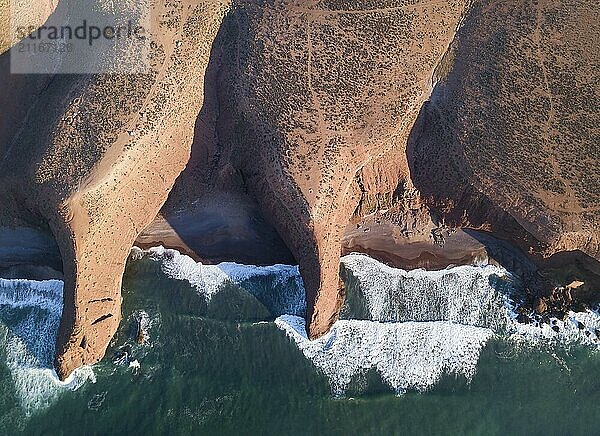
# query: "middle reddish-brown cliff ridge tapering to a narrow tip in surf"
309,93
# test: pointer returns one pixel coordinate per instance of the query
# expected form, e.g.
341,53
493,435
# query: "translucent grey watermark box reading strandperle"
80,36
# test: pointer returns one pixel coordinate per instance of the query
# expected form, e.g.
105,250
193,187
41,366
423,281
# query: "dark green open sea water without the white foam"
231,370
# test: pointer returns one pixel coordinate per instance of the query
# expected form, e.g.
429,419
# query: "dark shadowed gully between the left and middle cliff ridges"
250,206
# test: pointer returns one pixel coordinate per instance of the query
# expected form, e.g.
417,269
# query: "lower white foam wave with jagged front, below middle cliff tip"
407,355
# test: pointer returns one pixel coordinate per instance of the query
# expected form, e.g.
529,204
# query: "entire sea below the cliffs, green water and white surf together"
225,353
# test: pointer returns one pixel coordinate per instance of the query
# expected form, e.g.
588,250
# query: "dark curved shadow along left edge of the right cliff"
437,165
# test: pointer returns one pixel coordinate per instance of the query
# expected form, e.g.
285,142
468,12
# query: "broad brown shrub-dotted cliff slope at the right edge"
509,140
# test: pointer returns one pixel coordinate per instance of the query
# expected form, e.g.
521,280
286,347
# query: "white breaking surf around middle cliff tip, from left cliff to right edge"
412,327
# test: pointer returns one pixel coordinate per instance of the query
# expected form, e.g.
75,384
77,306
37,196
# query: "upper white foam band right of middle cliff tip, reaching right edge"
468,295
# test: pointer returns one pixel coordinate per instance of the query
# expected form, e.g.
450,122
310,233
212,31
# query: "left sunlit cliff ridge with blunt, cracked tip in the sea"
96,155
